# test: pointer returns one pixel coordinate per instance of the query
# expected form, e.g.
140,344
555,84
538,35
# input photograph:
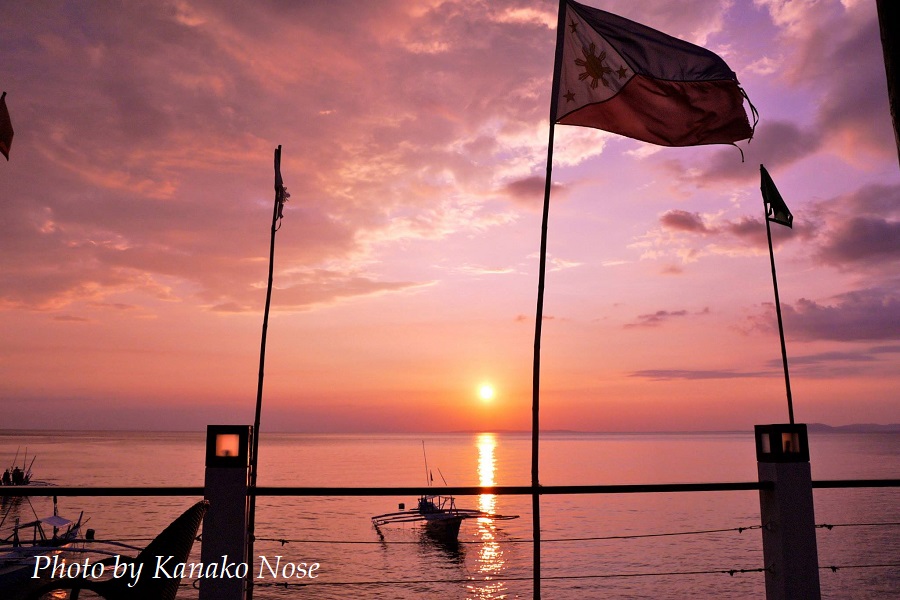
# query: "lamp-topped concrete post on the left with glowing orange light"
224,539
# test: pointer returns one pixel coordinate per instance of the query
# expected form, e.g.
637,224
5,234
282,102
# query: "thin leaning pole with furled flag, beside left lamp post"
281,197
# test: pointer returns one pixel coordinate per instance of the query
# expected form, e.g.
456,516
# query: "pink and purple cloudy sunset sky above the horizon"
137,202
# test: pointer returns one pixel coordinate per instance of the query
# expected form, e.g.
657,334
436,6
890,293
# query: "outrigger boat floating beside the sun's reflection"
439,513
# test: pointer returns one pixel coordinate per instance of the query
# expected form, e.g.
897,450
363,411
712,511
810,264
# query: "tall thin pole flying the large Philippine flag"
539,314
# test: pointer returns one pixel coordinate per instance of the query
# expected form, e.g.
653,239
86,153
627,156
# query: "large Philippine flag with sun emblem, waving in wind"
624,77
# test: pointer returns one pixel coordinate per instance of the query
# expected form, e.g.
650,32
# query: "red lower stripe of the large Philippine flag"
670,113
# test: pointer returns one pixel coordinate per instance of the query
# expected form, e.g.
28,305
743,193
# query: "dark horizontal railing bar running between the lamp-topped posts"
523,490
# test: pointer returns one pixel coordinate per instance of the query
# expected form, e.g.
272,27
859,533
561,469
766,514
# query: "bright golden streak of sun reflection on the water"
490,562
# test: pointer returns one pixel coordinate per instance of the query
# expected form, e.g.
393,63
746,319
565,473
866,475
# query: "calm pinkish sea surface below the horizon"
585,554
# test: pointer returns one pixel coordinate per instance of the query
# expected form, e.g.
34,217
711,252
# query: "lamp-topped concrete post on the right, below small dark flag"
788,519
